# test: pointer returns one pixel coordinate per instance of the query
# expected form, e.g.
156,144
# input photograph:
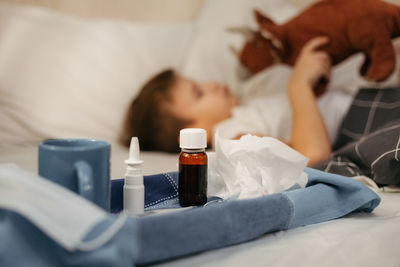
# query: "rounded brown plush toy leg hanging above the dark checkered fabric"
380,61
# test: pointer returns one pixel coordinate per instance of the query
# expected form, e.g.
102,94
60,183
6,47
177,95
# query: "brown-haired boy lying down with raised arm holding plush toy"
170,102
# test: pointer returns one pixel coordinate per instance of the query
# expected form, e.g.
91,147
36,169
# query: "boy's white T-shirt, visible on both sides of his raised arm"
271,116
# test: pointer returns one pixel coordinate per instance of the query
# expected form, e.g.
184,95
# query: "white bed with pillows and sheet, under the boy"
66,76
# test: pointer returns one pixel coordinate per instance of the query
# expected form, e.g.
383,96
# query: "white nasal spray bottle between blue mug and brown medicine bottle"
133,187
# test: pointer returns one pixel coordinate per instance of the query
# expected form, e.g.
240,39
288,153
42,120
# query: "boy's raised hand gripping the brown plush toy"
311,64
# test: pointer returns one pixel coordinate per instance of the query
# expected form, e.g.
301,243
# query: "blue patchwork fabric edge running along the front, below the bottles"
155,238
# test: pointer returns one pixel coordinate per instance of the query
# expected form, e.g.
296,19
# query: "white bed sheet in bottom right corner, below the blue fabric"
359,239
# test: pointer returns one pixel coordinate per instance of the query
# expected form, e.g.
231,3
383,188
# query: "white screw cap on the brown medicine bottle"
193,138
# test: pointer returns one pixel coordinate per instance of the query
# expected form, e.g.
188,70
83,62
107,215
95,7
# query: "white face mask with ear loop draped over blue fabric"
61,214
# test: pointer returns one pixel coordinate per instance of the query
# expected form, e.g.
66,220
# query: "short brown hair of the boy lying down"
149,119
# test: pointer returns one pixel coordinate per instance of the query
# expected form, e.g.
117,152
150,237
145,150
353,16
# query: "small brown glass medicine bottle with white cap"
192,167
